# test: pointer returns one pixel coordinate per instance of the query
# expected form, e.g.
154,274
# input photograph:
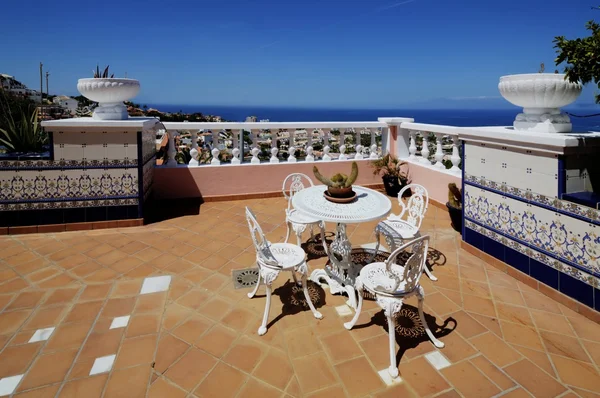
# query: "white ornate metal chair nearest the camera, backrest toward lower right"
390,283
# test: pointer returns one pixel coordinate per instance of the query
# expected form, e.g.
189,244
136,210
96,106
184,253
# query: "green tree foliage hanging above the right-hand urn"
582,56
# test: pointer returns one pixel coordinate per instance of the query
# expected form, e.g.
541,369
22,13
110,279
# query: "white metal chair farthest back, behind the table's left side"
295,220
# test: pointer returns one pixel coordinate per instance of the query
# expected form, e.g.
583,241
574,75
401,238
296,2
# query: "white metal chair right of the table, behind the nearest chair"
396,230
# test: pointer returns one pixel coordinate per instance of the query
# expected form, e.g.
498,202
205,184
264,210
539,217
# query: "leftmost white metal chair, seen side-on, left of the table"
273,258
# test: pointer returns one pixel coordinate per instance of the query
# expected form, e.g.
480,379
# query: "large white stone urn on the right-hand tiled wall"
541,95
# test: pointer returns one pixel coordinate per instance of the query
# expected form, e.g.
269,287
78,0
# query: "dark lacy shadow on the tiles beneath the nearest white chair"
409,329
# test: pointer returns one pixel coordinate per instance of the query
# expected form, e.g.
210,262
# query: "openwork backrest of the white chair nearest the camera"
413,266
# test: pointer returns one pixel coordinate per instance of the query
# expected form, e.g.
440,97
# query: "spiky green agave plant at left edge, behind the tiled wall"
25,134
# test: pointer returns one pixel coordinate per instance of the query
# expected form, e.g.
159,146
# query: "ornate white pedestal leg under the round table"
341,273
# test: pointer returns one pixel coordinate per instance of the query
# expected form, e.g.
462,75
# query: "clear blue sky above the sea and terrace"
378,53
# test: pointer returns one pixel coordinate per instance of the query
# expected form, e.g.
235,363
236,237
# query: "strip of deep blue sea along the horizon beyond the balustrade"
451,117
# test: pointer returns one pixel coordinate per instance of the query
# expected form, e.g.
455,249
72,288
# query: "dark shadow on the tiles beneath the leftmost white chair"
293,300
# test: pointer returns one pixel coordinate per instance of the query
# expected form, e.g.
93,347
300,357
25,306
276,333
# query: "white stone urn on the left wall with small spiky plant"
109,93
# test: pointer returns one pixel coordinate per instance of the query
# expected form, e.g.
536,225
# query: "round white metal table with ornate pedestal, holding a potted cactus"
370,205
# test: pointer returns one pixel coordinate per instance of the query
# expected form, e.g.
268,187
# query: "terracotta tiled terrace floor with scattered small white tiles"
199,337
